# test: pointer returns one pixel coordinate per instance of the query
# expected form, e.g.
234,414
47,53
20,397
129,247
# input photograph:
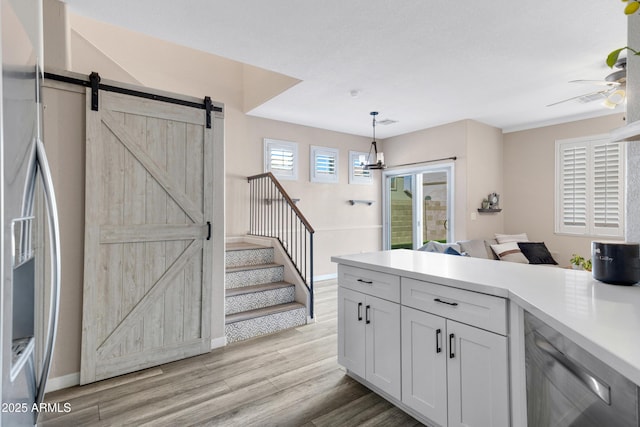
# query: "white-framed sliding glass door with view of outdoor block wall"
418,207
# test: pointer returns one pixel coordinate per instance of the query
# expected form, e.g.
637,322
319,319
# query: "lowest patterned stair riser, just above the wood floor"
265,325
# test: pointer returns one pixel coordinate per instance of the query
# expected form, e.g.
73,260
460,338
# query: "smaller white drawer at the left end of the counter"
381,285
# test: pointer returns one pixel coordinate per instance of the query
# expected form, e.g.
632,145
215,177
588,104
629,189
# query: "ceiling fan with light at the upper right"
612,95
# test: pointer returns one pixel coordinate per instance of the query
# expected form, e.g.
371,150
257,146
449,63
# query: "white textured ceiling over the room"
420,62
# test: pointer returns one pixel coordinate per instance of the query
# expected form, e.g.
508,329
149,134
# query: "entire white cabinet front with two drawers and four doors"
437,350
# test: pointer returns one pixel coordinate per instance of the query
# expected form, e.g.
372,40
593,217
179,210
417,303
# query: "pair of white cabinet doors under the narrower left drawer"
369,339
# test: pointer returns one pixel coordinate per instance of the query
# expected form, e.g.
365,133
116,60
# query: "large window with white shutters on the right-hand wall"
590,185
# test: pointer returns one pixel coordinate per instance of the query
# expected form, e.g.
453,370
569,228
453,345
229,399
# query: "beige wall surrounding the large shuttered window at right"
529,170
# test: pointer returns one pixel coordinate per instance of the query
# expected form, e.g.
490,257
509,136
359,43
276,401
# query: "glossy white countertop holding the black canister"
603,319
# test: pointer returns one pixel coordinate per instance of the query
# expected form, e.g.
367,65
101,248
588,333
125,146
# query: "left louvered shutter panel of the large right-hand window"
574,188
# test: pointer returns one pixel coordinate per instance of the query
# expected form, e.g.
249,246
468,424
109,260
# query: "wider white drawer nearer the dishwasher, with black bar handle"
473,308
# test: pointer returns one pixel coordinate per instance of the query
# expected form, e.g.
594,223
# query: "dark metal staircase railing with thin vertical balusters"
284,222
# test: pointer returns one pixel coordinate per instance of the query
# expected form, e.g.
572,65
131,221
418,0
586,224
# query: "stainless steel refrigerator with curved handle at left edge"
24,171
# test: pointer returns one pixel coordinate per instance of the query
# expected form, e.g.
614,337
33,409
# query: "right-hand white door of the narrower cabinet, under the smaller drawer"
382,319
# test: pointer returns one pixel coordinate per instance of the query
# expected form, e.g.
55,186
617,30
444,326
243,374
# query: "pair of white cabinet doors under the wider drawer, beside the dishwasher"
454,374
